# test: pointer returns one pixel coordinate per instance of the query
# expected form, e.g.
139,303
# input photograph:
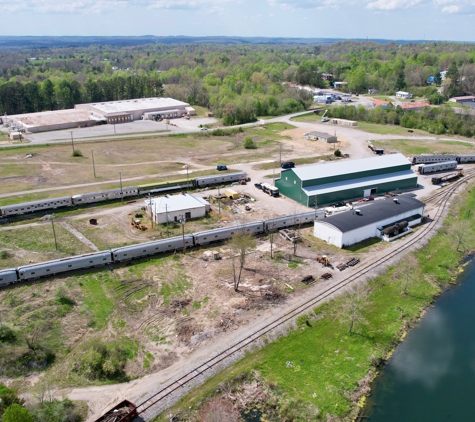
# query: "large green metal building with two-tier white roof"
322,184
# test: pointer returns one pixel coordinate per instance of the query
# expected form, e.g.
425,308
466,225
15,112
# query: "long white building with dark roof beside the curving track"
388,219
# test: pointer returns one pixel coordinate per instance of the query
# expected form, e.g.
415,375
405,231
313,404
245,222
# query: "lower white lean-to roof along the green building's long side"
359,183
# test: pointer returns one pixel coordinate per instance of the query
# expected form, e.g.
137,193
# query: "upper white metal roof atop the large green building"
349,166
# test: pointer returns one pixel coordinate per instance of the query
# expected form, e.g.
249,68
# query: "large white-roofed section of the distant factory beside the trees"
139,109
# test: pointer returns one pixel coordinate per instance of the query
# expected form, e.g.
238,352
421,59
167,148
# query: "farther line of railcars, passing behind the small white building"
125,192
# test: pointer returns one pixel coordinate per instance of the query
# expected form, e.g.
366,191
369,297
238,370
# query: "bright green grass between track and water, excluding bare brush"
326,361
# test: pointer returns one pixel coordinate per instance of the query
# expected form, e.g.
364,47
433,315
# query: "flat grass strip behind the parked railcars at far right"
416,147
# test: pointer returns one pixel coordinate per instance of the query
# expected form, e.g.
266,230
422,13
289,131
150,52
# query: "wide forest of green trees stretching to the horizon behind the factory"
237,82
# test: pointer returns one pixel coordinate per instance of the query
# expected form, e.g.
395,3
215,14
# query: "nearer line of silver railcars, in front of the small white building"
147,249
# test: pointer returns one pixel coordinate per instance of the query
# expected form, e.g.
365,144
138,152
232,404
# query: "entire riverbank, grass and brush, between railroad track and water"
323,367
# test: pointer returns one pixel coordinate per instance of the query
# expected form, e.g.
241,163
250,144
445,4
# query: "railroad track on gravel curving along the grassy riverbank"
167,395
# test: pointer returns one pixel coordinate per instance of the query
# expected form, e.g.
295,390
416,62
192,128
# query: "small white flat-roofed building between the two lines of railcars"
171,208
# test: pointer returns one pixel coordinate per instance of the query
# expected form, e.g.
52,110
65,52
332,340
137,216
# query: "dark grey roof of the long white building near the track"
373,212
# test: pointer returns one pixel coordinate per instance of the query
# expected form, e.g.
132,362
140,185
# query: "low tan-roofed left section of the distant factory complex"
52,120
